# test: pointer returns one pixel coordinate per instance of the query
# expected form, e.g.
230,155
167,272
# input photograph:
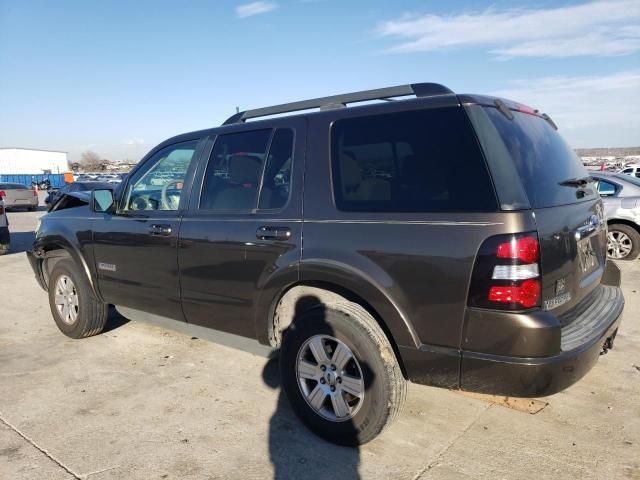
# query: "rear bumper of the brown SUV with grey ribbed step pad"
589,330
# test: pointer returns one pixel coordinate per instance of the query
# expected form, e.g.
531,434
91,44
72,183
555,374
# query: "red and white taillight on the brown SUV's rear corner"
506,274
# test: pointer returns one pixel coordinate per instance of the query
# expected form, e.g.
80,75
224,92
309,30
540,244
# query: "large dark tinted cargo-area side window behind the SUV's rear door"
416,161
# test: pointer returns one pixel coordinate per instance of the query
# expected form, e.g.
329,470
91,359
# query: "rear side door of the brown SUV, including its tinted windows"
244,226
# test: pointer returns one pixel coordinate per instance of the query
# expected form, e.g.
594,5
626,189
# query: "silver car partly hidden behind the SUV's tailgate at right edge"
621,196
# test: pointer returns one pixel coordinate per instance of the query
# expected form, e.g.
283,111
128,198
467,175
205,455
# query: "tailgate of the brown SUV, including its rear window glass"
566,206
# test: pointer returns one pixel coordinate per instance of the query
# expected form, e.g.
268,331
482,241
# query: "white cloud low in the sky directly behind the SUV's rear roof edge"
591,111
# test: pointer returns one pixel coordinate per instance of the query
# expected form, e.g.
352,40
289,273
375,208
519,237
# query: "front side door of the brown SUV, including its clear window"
135,250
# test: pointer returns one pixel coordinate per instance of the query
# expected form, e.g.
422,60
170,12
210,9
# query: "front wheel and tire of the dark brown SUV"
75,310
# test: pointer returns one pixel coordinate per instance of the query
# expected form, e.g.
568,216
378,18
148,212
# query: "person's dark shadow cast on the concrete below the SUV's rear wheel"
295,451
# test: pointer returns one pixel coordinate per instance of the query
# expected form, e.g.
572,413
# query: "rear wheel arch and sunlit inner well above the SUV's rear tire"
284,309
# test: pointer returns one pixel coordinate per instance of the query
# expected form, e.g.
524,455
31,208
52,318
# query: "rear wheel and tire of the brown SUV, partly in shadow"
341,374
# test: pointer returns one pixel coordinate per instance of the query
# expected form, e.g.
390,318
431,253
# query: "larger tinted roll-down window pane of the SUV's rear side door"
233,174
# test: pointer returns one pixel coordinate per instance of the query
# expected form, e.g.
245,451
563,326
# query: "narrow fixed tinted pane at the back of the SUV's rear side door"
277,174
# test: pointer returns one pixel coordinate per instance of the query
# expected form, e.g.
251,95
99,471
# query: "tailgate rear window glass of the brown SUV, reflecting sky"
543,160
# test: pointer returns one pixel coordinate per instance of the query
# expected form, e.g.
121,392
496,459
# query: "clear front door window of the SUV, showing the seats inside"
158,184
